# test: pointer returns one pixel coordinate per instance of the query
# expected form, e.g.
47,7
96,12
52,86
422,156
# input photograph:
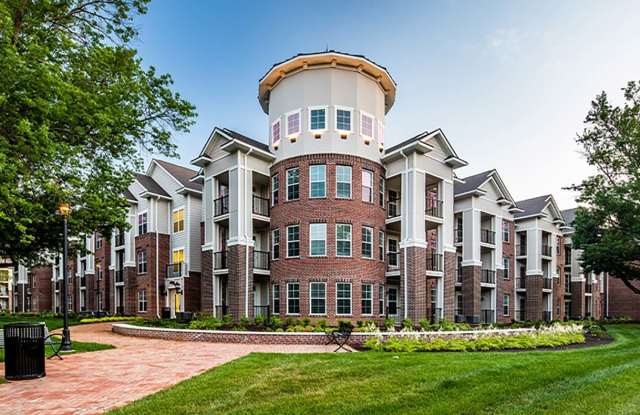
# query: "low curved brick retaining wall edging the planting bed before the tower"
261,337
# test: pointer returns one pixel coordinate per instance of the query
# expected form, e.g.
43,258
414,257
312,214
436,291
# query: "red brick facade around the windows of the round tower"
331,211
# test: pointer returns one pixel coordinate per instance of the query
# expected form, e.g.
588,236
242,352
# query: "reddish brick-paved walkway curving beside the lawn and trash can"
88,383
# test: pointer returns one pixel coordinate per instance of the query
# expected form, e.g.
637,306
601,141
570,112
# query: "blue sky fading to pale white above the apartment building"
509,83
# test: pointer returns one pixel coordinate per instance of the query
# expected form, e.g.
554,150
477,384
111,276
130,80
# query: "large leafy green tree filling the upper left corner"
77,109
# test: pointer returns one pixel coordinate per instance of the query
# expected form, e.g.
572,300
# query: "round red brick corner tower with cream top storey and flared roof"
326,123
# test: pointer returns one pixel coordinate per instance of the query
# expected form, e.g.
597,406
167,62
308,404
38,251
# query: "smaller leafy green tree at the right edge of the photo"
607,229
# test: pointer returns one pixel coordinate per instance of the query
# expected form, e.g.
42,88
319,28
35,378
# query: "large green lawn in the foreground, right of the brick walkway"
598,380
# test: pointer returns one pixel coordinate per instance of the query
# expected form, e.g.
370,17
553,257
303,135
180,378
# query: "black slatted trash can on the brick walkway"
23,351
